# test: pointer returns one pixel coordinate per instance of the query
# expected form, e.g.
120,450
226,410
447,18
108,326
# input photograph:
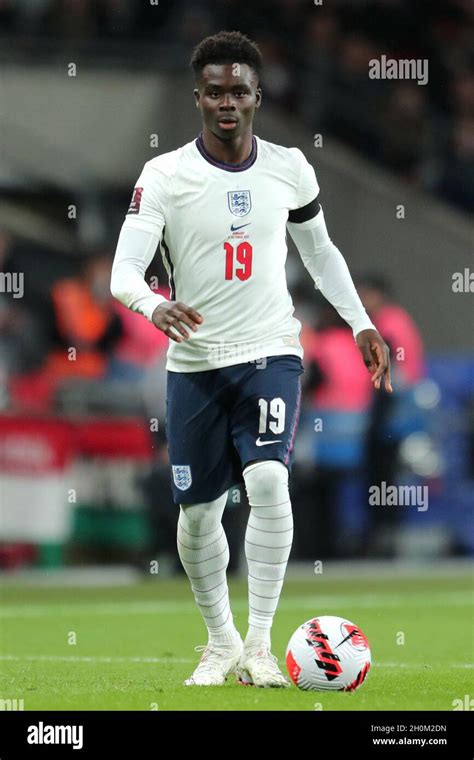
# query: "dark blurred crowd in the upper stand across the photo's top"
317,68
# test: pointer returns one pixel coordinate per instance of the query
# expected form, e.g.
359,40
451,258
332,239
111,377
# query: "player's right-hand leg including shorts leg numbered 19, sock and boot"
264,425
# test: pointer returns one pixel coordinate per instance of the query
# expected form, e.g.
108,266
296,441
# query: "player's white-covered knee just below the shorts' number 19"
266,483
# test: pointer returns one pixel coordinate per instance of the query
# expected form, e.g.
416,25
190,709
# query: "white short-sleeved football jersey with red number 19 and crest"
222,230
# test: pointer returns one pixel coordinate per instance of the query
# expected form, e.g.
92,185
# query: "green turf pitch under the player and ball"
157,619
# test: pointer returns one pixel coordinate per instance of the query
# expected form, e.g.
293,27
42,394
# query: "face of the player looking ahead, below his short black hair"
227,98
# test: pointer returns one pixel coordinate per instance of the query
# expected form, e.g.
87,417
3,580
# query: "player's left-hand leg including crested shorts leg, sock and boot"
201,476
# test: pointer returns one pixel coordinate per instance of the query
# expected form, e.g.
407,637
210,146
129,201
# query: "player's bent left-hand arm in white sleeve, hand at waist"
136,248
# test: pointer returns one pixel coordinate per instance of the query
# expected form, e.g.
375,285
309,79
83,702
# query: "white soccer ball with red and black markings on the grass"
328,653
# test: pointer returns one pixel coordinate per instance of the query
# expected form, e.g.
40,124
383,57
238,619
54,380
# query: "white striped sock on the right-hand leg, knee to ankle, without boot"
267,544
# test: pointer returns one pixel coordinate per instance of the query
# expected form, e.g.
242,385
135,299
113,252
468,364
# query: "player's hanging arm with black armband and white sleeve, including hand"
331,275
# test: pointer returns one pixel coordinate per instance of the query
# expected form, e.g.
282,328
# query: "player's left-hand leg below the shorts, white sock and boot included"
204,554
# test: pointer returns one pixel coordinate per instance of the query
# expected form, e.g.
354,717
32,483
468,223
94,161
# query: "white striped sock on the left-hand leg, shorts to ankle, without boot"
204,554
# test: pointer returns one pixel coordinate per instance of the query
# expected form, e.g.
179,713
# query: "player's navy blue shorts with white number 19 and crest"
219,420
